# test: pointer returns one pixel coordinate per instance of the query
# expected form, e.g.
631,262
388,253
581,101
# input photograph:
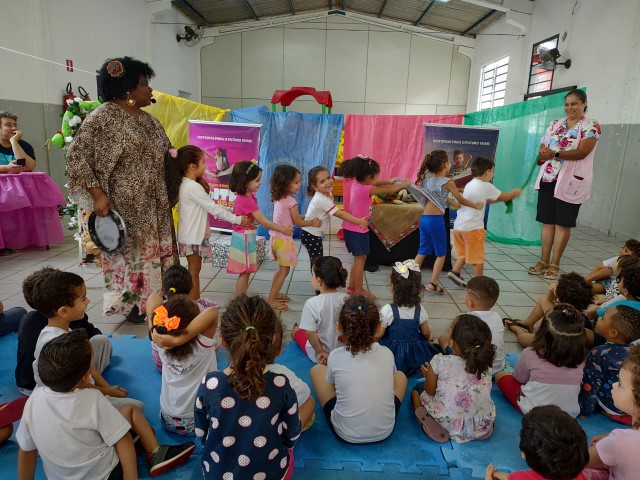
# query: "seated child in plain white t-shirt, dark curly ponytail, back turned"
359,388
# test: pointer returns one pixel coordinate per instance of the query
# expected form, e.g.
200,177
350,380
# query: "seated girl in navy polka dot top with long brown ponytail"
247,417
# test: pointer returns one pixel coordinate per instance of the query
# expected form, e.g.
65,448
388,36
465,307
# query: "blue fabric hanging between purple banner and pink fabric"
304,140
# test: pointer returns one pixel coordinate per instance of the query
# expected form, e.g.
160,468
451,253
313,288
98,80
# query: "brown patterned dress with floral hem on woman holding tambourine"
124,156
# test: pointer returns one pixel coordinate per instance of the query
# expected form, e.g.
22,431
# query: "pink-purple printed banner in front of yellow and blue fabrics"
224,144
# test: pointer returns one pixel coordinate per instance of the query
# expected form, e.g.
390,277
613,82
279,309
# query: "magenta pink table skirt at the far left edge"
29,210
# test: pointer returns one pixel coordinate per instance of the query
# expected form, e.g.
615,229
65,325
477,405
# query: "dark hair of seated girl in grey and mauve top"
561,339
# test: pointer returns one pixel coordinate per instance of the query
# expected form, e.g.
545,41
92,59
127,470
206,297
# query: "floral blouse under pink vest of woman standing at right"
563,139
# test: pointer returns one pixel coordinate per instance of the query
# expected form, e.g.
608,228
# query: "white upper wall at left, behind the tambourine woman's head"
88,32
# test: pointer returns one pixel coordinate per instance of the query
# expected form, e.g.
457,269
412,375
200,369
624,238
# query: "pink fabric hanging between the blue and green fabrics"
396,142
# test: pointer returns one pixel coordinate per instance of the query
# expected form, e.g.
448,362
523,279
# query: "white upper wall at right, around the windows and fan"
602,42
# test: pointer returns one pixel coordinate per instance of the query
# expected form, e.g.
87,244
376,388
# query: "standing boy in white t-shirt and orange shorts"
468,228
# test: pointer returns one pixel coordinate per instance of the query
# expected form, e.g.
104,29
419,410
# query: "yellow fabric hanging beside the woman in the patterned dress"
174,114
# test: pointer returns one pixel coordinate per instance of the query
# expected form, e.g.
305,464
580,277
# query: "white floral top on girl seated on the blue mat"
462,403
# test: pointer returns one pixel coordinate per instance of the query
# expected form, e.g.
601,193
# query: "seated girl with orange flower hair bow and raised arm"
184,365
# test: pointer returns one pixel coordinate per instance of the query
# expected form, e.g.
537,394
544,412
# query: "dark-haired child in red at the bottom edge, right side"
553,445
